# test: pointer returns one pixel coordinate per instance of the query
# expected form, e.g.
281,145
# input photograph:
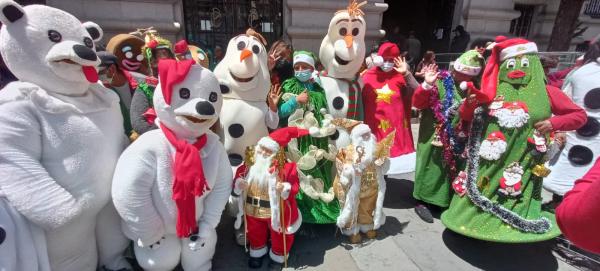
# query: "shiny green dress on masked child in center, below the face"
313,210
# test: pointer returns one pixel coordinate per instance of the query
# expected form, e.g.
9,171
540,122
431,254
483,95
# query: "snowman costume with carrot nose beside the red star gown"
342,53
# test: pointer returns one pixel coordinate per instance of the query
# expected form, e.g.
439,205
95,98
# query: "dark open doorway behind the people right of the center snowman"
431,20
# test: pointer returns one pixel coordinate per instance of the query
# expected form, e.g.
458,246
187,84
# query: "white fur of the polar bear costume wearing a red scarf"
142,185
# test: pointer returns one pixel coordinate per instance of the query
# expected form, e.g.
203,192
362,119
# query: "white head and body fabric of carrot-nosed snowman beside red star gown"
333,45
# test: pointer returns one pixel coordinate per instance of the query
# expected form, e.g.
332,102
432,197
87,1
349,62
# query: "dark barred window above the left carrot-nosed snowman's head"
214,22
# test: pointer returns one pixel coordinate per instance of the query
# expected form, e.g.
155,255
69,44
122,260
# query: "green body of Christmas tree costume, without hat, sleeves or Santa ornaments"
485,212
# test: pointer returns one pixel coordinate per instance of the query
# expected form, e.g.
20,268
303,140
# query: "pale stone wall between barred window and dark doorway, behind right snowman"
306,21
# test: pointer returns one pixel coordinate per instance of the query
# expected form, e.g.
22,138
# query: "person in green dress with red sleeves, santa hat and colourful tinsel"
441,137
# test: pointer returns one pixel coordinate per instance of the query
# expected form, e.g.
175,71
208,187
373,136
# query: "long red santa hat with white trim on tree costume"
503,48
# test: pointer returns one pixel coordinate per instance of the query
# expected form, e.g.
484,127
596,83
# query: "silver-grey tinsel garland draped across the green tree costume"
541,225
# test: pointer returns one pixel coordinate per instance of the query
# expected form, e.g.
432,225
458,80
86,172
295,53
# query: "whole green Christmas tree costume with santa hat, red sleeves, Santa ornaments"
502,202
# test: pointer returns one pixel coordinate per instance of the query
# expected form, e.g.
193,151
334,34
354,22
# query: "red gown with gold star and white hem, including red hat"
387,108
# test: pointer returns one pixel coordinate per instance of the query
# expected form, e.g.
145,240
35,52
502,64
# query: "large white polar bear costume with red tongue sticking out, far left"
61,137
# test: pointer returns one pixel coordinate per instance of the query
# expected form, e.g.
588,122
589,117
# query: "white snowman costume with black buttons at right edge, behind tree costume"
564,173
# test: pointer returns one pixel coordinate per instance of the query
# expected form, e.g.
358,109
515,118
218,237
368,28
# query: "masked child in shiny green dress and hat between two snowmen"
303,92
